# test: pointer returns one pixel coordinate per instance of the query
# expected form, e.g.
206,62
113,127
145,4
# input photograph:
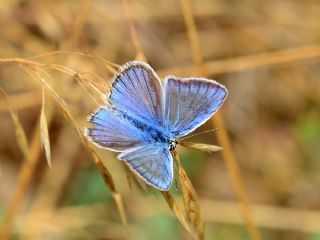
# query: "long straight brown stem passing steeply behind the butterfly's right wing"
223,138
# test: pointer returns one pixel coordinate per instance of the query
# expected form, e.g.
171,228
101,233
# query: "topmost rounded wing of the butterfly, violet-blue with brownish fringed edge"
137,90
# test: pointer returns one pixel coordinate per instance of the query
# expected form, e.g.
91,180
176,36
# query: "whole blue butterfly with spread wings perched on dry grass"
145,118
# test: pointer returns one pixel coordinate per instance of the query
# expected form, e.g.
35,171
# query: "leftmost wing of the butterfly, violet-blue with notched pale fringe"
112,131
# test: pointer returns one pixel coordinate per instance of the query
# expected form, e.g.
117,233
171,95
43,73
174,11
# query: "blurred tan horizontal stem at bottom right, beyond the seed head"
269,217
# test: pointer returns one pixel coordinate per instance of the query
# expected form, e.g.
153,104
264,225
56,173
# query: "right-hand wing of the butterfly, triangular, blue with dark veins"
190,102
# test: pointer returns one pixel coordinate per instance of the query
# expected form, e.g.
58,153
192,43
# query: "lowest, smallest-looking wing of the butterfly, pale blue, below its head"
153,163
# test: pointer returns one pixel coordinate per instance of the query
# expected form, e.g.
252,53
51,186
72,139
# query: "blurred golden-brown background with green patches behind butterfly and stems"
265,52
